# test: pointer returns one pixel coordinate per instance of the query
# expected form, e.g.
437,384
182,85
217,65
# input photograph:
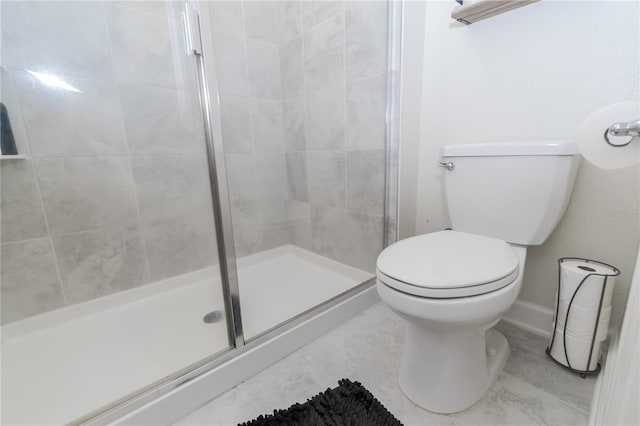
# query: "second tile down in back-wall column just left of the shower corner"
266,118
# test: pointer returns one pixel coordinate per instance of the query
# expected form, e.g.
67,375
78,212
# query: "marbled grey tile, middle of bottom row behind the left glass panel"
98,263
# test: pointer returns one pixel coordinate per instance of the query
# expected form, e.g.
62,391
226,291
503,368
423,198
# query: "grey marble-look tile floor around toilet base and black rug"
531,389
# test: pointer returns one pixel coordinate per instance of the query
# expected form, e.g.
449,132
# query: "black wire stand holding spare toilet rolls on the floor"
615,272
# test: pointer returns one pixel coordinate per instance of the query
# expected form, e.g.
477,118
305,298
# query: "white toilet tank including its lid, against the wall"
514,191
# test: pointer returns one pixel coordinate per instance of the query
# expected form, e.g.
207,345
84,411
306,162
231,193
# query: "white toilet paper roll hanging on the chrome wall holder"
591,142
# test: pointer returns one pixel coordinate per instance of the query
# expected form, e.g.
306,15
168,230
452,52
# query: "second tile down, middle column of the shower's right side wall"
324,54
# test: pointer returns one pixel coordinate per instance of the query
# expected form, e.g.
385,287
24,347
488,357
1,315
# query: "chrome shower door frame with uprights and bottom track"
199,40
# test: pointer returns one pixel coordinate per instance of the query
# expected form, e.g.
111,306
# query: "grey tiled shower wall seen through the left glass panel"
114,192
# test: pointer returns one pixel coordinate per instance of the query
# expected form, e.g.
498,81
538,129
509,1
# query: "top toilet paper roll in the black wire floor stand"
572,272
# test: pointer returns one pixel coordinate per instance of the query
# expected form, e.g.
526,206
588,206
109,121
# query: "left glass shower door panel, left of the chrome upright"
110,278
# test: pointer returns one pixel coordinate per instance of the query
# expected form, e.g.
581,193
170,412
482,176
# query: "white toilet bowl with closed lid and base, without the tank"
464,284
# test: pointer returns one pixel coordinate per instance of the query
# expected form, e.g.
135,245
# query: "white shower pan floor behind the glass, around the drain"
61,365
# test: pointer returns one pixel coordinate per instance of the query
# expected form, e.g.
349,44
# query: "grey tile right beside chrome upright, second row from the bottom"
241,177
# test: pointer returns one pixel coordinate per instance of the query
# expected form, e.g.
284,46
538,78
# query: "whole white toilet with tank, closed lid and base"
453,286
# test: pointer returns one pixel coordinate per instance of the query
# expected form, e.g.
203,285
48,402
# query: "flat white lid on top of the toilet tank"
496,149
